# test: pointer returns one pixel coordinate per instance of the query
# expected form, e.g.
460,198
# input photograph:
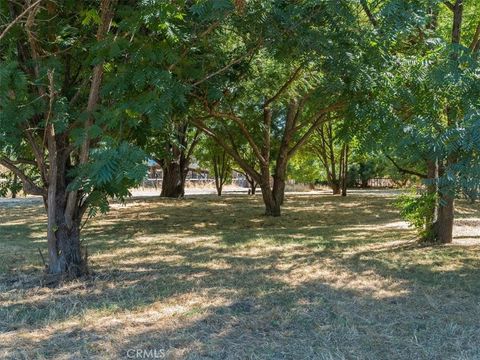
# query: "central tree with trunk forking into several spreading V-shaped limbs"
286,87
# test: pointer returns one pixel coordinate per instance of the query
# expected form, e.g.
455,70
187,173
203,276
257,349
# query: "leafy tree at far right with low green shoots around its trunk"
428,101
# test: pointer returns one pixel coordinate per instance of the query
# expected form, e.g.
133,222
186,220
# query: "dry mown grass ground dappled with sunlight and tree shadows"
210,278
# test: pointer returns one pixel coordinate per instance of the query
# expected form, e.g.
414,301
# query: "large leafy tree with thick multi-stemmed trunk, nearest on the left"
56,133
